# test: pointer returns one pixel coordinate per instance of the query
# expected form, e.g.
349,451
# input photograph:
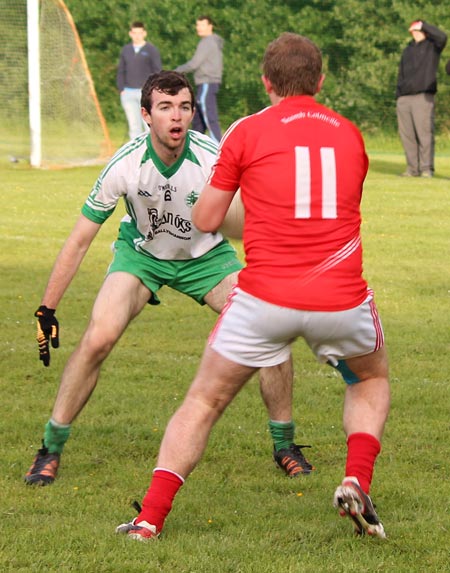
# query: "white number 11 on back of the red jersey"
303,183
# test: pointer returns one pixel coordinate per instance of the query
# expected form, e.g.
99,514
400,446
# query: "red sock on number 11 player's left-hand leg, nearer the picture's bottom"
157,502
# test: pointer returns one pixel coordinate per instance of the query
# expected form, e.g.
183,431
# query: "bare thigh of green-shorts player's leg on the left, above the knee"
121,297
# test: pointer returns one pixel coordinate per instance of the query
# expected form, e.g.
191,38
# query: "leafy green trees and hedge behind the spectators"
361,42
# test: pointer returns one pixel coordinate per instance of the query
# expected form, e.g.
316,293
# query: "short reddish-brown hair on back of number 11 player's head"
293,64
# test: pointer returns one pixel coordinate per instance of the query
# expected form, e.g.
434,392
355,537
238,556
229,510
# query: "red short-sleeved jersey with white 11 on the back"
301,168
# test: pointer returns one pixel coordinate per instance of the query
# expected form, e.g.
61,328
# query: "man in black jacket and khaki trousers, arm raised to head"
416,87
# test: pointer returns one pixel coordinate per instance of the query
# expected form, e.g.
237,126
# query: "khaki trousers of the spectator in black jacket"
415,114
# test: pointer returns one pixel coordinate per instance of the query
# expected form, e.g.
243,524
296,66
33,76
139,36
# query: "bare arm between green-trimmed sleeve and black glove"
69,260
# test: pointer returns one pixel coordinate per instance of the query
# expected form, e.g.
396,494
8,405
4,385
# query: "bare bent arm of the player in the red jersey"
210,210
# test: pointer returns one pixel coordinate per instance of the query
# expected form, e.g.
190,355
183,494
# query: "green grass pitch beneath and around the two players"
237,513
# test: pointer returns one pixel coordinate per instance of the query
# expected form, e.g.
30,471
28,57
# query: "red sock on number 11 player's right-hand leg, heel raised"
362,451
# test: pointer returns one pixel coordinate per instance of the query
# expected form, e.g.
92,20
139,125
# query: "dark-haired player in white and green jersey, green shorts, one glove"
159,176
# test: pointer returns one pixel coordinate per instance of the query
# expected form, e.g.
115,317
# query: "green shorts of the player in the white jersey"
193,277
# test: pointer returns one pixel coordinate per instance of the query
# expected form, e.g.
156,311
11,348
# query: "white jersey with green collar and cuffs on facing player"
158,199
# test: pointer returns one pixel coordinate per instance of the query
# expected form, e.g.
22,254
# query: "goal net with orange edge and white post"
67,127
